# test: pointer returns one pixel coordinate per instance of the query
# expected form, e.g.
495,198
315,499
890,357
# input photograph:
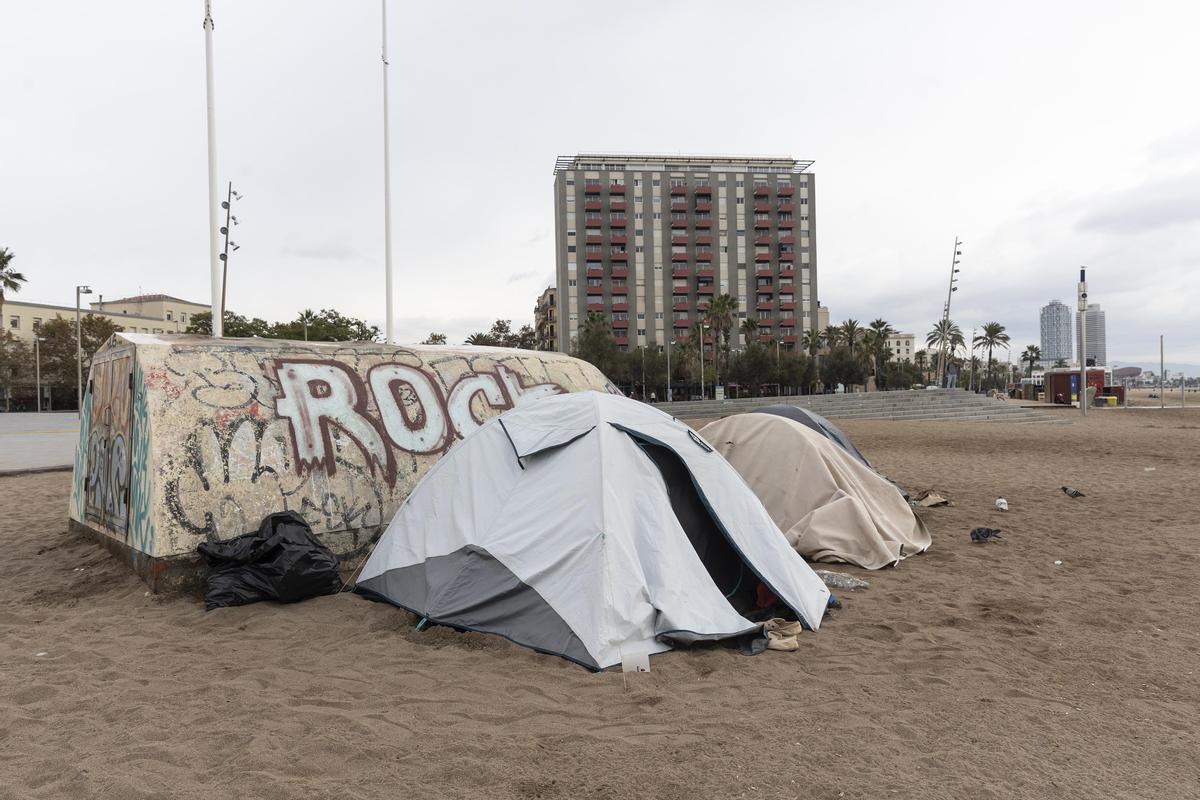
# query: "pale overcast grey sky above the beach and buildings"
1046,135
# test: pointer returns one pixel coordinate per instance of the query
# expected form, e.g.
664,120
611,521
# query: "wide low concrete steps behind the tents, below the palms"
956,405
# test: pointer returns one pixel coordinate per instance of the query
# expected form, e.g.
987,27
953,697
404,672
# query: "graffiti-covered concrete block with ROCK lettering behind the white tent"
188,437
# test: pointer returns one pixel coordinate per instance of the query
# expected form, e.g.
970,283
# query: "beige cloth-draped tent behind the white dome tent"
831,507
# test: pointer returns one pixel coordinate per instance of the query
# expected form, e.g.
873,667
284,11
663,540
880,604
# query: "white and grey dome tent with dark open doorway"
591,527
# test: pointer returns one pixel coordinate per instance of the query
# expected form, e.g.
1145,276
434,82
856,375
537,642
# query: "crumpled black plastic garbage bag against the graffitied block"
283,561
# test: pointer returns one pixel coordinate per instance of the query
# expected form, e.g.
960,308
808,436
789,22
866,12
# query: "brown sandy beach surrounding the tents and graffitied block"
974,671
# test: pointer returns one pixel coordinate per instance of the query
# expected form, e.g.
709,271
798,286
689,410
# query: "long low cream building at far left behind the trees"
157,314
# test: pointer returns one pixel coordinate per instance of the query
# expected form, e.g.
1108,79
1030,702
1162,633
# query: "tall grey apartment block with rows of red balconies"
649,242
